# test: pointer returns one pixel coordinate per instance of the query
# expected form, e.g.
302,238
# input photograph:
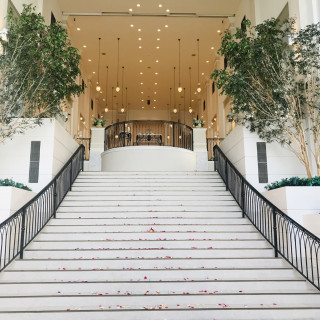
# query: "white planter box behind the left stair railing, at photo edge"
12,199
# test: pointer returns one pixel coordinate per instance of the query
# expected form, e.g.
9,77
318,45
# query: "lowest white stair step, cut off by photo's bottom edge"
264,312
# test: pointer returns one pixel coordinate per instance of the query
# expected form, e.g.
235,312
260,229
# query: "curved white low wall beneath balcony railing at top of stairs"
148,158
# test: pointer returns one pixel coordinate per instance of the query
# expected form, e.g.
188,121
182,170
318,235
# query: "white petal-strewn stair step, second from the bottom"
136,302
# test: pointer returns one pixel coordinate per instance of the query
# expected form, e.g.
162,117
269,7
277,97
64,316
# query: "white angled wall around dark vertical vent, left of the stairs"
56,147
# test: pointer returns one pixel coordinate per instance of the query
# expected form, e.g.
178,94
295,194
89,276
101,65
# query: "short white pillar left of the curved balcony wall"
97,147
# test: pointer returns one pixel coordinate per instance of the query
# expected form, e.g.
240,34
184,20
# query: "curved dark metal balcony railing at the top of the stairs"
148,132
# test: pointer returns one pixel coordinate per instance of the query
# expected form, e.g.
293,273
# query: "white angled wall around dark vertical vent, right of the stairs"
240,146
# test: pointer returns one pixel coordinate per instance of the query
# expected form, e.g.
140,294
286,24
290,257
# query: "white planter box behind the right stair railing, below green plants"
300,203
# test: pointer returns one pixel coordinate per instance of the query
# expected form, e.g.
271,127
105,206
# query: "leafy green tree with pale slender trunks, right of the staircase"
273,81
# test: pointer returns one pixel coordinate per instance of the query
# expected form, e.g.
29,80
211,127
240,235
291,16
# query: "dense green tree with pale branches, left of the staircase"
38,70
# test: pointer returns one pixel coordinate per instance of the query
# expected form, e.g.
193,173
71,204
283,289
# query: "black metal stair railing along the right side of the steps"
290,240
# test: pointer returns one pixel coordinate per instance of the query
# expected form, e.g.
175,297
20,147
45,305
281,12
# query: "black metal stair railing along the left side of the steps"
23,226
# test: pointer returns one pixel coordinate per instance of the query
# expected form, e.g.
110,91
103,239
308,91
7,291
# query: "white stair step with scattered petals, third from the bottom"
148,288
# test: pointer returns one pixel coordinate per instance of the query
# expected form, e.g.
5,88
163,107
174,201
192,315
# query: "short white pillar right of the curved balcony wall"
200,148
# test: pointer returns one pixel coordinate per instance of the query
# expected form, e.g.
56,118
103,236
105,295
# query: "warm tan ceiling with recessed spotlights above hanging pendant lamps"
111,28
